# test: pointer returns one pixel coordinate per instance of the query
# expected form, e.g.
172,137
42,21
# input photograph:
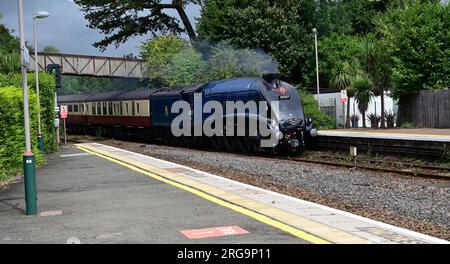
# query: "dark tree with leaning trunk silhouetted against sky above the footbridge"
122,19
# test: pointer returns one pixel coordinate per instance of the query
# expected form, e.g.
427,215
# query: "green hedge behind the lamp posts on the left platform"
11,121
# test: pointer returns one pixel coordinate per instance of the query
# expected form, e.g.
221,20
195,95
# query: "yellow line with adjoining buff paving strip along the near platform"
234,201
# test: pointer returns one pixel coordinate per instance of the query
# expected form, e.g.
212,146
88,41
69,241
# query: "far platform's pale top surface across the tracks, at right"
418,134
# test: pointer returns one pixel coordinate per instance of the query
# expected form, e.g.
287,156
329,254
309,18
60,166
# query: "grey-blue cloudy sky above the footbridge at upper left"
66,28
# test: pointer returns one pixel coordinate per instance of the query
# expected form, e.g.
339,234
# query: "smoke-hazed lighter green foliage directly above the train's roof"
172,62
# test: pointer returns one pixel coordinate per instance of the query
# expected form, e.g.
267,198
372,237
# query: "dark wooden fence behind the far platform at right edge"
427,109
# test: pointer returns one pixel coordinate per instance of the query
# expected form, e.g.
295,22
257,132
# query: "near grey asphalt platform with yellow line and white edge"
94,193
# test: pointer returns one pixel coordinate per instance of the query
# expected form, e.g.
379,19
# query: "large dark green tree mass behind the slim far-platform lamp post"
283,29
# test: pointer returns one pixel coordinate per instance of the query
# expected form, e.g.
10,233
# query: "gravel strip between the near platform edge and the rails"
415,203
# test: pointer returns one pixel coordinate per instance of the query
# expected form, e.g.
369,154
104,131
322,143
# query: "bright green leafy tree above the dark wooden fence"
419,43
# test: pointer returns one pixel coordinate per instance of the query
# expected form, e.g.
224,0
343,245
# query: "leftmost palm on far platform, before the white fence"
342,80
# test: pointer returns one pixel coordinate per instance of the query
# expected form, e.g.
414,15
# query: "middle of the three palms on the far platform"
364,94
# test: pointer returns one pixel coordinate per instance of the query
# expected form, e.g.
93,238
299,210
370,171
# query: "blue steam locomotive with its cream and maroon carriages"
152,115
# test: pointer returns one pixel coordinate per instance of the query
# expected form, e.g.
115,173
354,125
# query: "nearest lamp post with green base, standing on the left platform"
29,168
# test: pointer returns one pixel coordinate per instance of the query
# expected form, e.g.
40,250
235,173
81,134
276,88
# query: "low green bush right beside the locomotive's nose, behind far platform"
311,109
